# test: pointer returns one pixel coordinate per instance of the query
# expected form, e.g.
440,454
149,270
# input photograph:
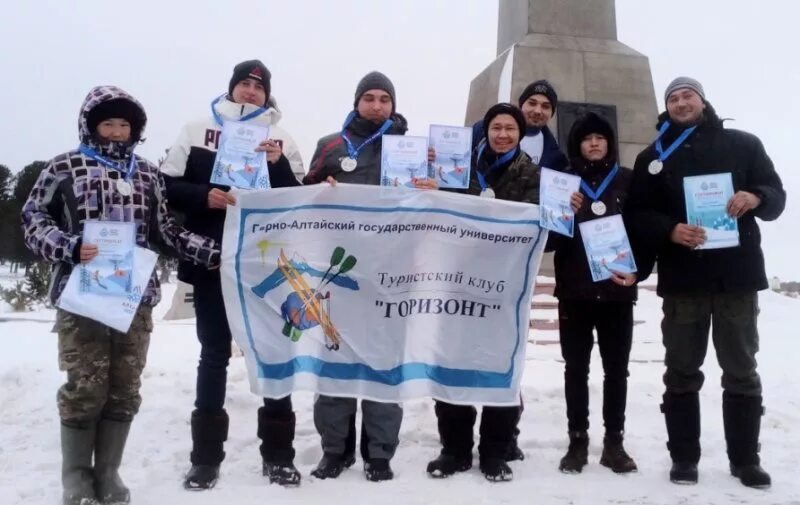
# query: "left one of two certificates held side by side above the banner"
403,159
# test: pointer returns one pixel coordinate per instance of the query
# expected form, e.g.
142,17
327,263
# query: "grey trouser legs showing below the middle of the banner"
380,420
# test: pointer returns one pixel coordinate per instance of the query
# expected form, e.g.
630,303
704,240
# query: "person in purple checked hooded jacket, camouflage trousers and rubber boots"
102,180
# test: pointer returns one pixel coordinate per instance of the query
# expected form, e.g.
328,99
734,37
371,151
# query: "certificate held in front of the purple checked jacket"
110,273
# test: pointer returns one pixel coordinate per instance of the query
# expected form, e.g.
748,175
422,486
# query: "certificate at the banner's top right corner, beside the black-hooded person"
555,190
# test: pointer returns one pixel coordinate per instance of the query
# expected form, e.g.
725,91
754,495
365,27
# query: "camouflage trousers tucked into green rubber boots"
104,367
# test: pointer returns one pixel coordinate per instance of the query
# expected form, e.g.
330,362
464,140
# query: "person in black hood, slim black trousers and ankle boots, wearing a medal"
585,305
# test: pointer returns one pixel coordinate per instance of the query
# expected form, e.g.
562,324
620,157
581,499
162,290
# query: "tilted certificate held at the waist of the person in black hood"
607,247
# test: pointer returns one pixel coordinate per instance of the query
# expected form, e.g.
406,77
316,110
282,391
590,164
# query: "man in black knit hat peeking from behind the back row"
538,102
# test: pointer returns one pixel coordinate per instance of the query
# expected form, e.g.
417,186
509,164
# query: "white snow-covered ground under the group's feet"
158,451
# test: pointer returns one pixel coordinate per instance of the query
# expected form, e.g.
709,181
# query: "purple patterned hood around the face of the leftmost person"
114,150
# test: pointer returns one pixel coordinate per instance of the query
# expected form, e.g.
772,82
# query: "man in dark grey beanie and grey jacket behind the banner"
353,155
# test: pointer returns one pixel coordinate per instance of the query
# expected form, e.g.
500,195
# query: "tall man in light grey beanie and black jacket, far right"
698,186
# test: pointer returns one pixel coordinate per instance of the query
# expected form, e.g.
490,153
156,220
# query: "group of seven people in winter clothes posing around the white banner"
511,144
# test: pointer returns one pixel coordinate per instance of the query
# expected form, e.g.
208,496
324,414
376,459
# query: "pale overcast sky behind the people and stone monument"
176,56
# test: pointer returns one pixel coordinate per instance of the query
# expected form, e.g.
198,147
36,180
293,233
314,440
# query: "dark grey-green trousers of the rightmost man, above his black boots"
732,319
